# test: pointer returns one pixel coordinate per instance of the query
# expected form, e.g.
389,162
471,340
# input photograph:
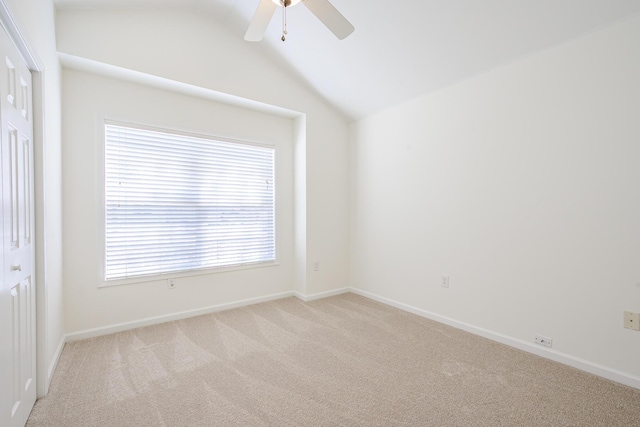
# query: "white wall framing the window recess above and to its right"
197,49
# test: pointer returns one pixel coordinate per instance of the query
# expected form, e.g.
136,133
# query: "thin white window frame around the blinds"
101,170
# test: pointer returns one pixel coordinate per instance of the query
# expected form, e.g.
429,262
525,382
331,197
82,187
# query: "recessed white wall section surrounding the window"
88,100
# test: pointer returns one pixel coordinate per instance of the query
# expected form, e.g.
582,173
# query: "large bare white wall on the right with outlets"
522,186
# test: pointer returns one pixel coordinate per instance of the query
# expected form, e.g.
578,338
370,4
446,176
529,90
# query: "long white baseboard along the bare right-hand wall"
566,359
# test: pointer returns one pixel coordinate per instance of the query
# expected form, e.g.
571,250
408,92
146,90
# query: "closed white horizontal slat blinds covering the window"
176,202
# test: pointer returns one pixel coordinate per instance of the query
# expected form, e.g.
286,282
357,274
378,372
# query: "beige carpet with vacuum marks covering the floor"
340,361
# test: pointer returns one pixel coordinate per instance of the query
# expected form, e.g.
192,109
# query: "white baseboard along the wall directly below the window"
125,326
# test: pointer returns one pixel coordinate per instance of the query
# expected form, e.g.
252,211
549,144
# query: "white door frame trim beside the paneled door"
12,27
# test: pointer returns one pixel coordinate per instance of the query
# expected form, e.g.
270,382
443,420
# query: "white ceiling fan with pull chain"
322,9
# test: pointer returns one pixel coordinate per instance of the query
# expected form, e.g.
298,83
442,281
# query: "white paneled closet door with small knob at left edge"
17,292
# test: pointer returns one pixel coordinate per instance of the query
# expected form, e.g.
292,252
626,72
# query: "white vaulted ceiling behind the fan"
403,49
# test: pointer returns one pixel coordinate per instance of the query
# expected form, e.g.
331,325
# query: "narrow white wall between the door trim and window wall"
35,19
